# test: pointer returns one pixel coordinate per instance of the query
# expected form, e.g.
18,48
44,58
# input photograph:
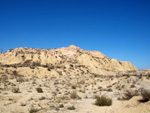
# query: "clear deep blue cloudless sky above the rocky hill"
118,28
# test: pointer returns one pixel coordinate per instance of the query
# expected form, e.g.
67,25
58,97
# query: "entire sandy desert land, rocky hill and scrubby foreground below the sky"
70,80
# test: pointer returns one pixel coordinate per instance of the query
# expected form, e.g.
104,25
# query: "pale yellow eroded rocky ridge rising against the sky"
71,58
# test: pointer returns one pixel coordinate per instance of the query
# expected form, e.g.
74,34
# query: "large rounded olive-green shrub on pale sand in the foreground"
103,101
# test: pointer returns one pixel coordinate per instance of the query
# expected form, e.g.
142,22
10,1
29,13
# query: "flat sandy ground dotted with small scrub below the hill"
55,94
